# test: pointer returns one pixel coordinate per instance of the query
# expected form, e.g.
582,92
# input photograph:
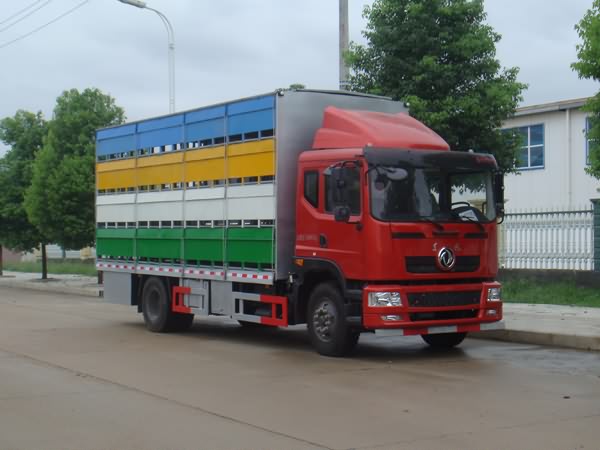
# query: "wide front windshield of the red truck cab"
431,194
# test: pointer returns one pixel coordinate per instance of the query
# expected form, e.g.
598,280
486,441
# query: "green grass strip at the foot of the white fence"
550,293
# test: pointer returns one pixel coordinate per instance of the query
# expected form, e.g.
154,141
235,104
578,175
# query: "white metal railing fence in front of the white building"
547,240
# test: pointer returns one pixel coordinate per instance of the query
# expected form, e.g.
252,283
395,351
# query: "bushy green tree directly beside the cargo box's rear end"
60,200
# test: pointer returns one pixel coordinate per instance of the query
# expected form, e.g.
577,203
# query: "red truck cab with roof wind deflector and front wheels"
395,233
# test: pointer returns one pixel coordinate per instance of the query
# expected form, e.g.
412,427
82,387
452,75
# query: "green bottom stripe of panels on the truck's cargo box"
244,245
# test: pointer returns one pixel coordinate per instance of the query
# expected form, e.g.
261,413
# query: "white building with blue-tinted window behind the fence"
553,158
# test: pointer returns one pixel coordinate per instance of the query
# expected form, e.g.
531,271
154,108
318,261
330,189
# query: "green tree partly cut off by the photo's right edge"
588,66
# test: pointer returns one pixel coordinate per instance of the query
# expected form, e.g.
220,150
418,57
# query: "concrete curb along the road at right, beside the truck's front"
542,338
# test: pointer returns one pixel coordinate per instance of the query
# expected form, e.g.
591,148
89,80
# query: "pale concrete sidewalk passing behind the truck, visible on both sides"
560,326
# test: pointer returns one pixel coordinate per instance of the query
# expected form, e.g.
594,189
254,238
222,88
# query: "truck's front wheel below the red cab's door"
329,333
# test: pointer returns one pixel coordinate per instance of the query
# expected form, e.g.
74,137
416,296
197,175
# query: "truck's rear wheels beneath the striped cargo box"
156,308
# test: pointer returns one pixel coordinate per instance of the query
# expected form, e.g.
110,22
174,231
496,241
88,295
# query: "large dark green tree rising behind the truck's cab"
440,58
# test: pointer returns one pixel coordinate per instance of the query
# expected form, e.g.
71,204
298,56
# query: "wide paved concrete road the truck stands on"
78,373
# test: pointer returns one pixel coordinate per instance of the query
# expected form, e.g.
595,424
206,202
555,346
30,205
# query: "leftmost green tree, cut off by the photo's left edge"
24,134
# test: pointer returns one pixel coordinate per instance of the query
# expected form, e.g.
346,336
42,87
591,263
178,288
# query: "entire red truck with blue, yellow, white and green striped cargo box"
333,209
